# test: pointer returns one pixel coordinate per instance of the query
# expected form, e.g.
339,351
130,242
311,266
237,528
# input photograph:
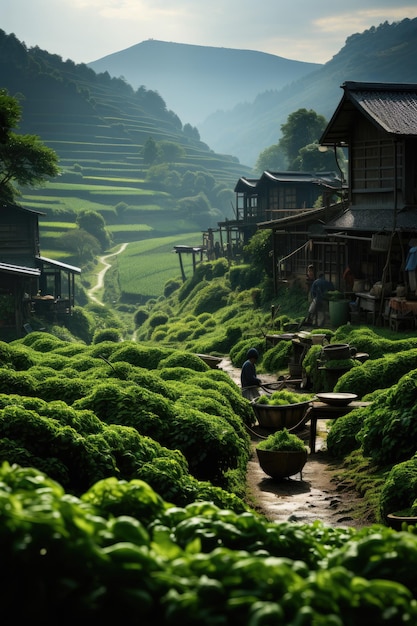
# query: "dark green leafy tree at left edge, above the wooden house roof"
24,159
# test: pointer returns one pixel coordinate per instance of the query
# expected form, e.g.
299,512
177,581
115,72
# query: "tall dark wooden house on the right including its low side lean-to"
371,232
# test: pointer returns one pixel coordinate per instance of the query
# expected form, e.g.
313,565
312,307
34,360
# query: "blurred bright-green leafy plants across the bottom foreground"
220,554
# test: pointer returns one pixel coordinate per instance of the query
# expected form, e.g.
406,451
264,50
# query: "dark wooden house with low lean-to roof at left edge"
30,284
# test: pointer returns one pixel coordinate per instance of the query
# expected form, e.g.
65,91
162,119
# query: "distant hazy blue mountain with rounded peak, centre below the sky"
196,81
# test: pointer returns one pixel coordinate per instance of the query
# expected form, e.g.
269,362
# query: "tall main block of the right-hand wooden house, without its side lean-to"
377,123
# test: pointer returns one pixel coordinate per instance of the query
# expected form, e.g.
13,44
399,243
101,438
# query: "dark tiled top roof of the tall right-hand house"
391,107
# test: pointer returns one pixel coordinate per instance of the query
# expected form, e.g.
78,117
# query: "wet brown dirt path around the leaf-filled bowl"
317,493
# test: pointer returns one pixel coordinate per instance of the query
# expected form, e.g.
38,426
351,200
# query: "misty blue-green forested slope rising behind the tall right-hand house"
387,53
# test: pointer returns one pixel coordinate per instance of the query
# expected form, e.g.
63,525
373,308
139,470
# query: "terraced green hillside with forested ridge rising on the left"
122,152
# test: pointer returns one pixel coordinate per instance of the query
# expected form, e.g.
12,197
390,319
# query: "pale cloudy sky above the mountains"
302,30
